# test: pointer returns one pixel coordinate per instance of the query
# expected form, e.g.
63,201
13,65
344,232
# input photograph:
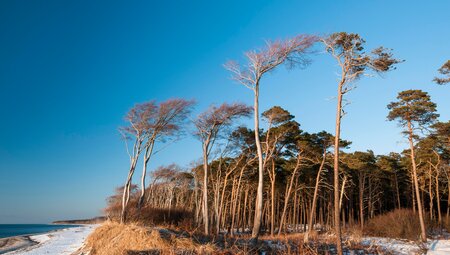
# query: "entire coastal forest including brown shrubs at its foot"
273,179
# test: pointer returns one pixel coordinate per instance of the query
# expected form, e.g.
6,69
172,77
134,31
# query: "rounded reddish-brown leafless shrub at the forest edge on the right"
400,223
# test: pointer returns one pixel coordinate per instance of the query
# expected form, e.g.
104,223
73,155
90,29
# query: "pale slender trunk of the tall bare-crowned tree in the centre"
259,195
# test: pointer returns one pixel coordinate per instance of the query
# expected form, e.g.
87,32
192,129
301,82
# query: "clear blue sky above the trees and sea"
70,70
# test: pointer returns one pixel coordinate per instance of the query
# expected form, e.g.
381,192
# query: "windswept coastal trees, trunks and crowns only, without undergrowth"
282,178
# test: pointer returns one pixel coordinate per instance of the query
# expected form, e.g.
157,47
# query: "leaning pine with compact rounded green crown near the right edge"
415,112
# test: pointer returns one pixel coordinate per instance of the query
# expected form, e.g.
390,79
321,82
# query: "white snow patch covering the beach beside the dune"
65,241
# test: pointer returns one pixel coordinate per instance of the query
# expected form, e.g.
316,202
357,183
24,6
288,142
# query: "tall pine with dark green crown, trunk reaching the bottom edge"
354,62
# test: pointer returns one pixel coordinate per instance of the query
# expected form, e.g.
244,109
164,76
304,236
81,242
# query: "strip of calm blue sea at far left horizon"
7,230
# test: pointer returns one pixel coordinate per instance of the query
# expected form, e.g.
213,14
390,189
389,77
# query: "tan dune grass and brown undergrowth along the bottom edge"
112,238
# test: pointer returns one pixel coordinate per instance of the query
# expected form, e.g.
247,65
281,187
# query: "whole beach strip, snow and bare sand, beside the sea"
64,241
